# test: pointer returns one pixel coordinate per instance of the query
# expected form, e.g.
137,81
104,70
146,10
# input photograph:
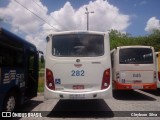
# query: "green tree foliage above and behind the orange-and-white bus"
119,39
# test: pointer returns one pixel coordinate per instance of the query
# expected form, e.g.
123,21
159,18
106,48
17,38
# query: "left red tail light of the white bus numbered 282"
50,79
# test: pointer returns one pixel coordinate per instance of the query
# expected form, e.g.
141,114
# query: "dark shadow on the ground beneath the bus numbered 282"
81,109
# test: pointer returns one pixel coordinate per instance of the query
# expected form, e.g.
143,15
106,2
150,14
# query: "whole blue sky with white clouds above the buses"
33,20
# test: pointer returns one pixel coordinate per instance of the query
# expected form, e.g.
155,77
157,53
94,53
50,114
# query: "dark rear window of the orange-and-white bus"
136,56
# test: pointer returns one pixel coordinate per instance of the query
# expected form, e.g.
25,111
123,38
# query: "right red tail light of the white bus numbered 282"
106,79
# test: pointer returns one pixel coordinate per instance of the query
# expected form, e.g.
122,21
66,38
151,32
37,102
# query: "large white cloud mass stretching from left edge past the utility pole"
33,18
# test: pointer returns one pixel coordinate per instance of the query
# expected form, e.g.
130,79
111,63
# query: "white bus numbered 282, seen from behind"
78,65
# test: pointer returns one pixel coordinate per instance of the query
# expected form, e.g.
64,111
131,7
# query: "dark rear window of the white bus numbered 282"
78,45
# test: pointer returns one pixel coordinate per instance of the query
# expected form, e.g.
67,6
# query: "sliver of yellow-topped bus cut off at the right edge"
158,68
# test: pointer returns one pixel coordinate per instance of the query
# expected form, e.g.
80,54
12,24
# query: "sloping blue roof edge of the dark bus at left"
15,37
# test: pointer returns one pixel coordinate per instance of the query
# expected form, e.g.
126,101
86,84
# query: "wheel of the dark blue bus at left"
10,102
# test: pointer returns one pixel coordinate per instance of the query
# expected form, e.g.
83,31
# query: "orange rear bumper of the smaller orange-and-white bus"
145,86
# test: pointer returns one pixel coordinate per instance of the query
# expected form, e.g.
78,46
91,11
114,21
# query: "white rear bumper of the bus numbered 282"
101,94
